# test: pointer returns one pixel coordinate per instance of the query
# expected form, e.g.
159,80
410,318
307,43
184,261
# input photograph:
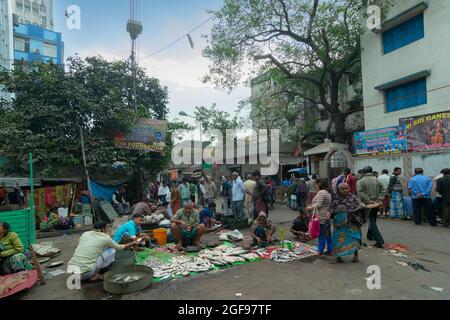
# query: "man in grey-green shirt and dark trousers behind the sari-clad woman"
370,191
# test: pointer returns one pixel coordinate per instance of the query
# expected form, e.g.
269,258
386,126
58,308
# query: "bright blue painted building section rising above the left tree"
34,43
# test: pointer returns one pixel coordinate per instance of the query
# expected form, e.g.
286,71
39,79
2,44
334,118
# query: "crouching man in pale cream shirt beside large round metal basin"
95,251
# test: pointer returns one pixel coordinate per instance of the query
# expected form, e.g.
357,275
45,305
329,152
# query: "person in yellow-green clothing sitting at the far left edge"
12,258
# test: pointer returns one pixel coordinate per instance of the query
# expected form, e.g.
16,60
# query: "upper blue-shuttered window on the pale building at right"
404,34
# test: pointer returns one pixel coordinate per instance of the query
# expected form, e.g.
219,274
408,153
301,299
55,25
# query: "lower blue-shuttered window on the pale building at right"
406,95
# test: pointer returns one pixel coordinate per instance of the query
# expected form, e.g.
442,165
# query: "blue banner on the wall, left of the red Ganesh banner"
379,142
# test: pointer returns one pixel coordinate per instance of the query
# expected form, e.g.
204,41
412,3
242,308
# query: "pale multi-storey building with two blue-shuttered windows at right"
406,74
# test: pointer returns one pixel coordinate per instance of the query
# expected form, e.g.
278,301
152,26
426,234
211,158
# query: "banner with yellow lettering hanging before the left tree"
147,135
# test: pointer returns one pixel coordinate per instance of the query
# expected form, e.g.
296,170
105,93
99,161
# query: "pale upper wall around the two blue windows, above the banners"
429,53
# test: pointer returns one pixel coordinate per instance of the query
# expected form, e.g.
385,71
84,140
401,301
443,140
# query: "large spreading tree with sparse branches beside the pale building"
311,44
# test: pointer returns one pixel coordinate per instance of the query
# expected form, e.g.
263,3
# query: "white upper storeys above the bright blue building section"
37,12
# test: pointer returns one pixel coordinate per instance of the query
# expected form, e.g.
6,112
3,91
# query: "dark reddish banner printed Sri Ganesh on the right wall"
428,132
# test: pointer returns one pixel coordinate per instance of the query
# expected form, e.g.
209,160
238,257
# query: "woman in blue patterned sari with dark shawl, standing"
349,215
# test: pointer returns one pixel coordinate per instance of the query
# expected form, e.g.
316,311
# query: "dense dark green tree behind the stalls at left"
52,104
